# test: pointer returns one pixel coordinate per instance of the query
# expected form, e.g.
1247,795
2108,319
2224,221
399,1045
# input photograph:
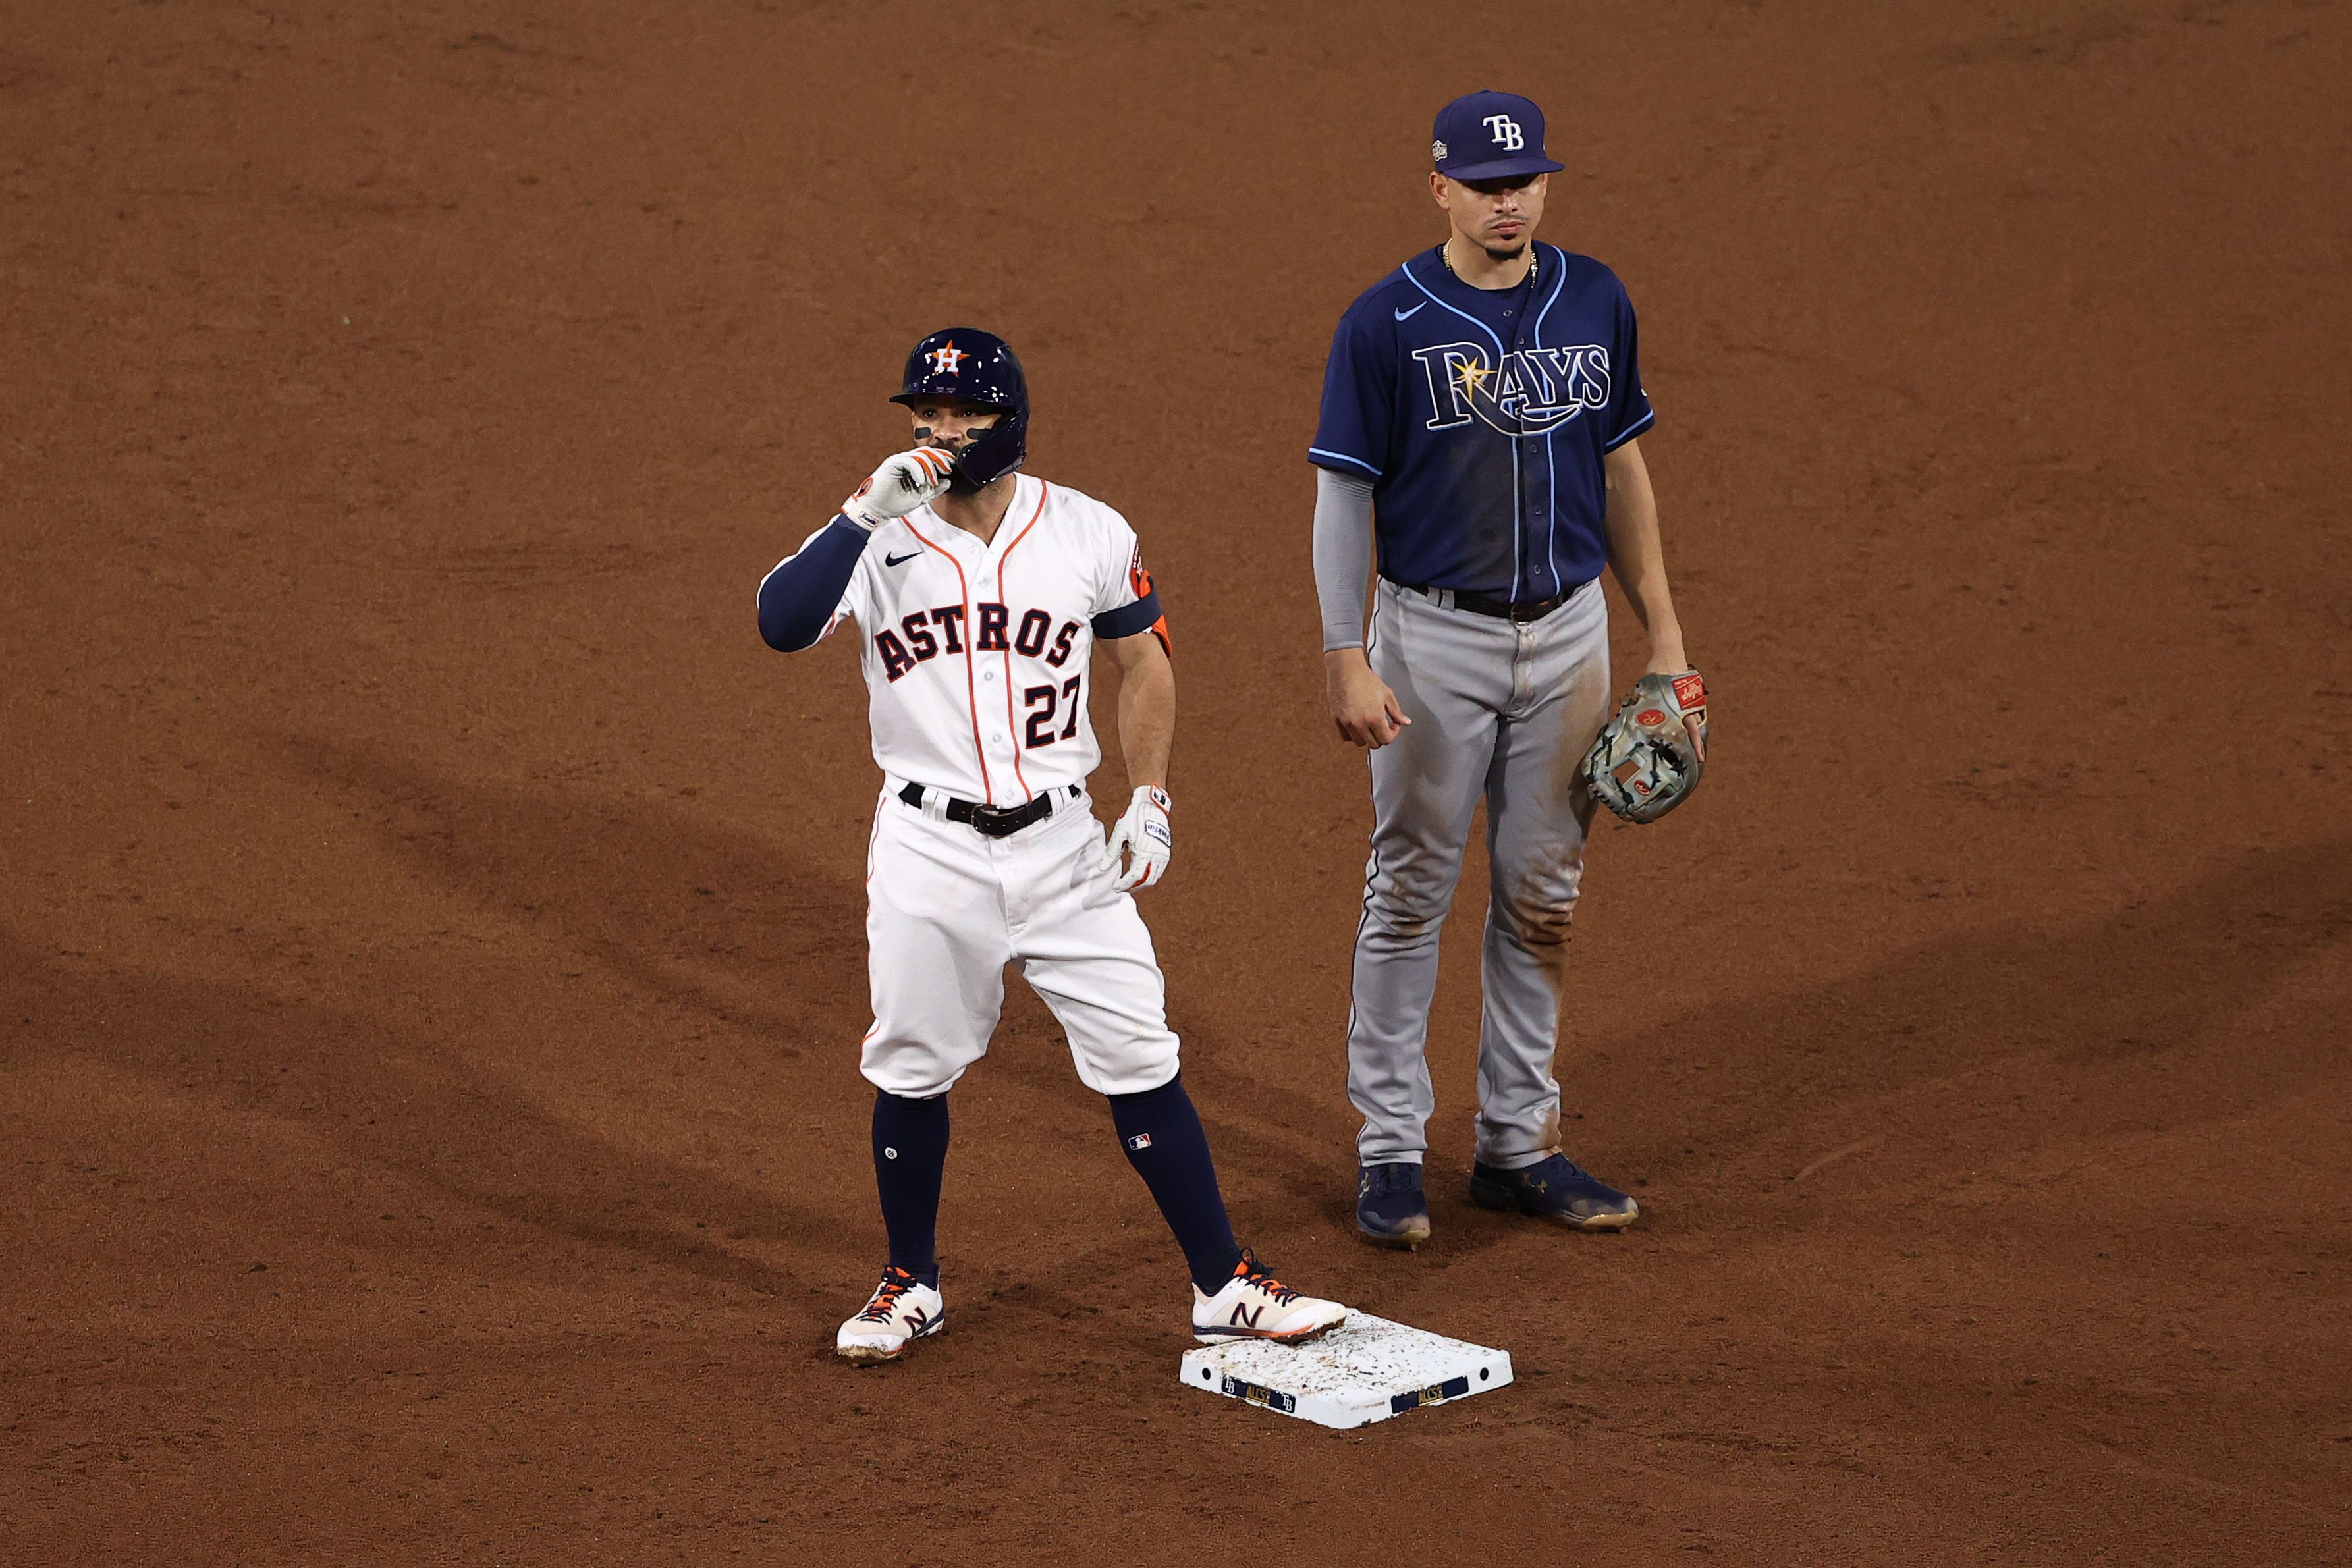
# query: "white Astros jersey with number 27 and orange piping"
977,652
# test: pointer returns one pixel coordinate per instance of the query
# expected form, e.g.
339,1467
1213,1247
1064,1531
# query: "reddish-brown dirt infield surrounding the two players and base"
432,946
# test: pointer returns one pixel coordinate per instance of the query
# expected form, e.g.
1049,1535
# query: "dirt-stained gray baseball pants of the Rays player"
1502,711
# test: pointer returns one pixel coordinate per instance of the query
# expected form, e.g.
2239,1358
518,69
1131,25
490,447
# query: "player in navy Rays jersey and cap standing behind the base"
1478,448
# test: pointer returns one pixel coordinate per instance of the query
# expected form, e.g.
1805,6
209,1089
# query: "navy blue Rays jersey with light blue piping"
1483,420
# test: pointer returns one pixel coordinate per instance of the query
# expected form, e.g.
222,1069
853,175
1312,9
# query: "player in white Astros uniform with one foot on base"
980,596
